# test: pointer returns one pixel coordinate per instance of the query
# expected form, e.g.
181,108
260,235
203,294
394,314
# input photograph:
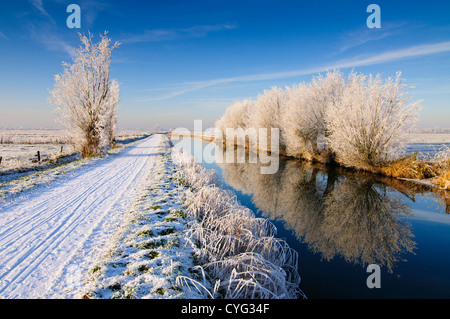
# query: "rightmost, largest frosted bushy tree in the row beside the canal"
371,122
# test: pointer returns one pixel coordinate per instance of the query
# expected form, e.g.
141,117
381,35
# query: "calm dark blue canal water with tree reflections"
340,222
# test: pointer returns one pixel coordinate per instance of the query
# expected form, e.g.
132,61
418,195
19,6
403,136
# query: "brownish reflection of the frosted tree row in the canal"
360,218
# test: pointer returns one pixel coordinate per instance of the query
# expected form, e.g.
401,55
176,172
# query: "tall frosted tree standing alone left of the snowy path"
85,97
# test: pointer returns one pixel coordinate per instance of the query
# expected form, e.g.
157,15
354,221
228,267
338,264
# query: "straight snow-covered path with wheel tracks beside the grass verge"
60,228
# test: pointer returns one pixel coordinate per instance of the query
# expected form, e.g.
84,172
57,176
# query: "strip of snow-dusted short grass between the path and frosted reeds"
149,252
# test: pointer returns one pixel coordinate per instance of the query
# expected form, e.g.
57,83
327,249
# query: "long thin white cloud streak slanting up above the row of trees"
386,57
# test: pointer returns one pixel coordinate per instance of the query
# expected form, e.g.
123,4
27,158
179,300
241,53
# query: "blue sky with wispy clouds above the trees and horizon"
185,60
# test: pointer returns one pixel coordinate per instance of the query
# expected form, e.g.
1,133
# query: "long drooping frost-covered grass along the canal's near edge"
237,254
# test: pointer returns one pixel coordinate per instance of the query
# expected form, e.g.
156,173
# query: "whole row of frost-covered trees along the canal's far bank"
359,121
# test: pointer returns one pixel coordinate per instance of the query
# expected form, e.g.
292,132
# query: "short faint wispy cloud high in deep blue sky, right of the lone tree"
157,35
